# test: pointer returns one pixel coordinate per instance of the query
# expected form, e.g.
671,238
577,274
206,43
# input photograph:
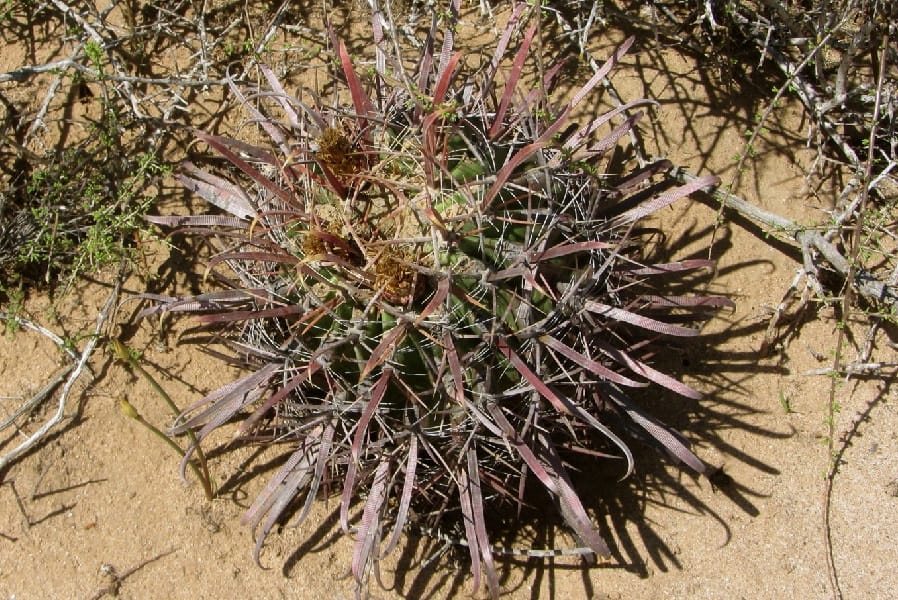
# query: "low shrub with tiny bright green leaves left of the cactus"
80,208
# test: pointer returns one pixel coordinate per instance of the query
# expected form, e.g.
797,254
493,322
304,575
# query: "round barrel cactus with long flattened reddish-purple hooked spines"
442,296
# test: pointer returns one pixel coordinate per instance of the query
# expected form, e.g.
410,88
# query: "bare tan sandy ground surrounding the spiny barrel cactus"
99,508
